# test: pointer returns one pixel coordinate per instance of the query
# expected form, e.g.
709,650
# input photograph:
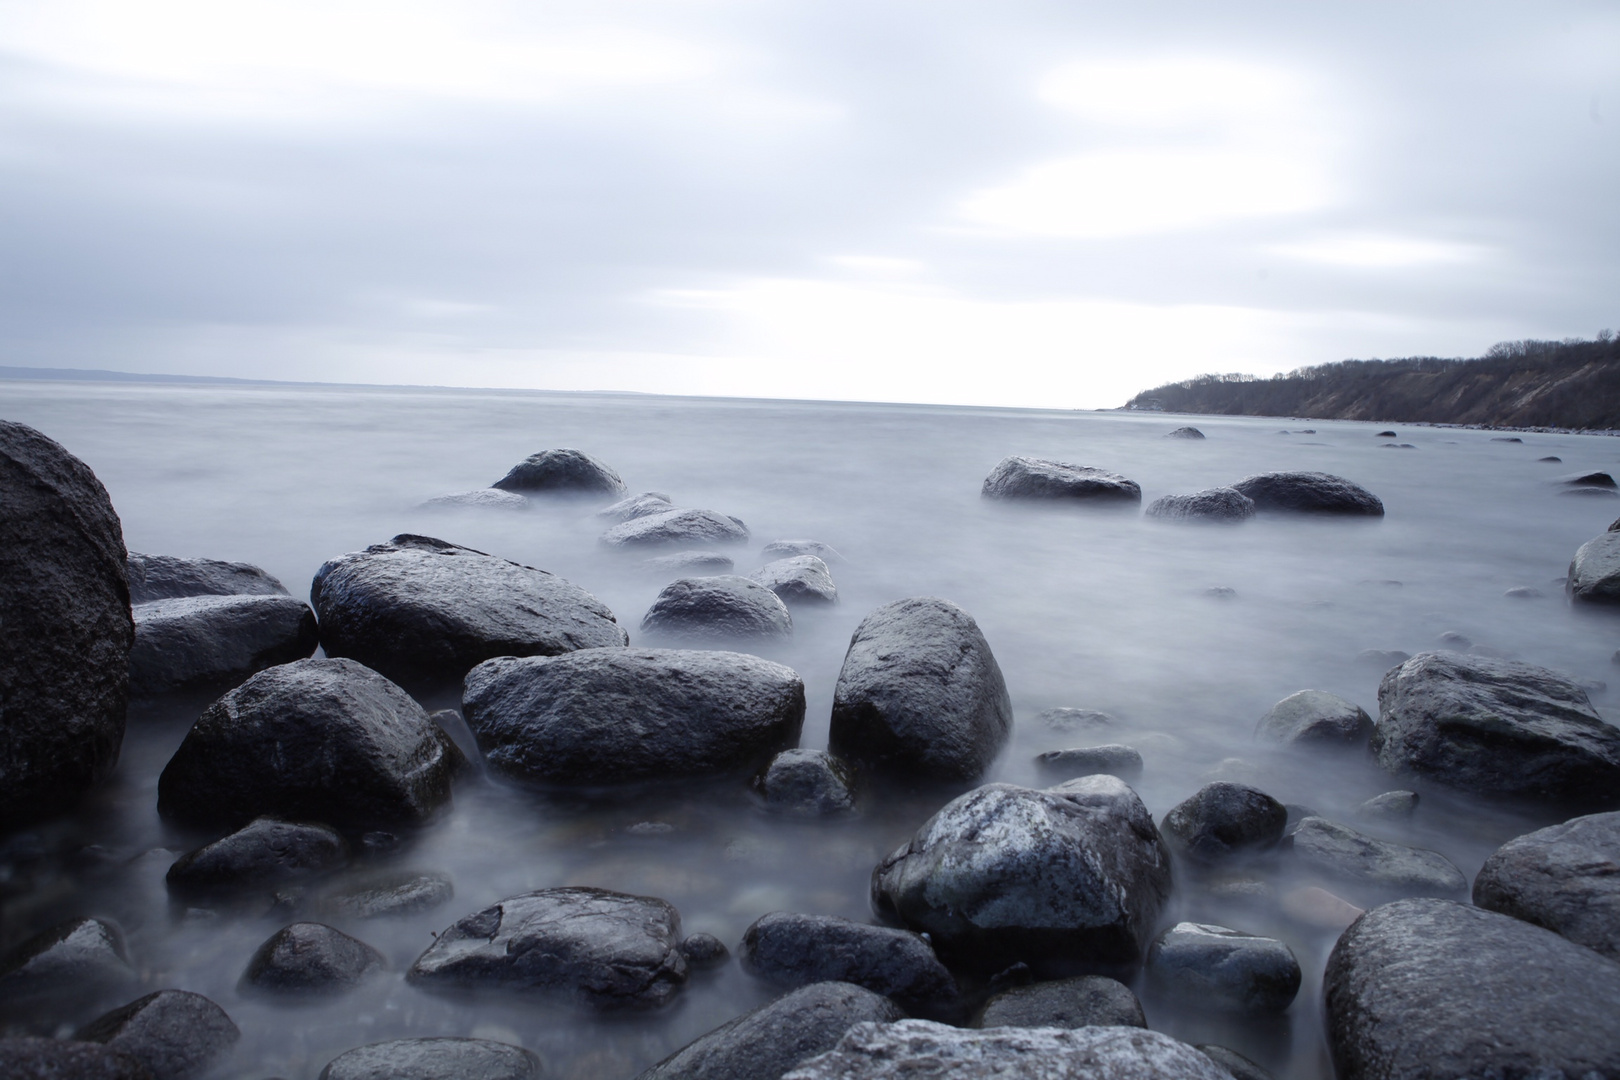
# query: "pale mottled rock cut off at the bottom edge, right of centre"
919,1048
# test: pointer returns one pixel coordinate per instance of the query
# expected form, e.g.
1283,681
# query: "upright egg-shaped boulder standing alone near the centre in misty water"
921,694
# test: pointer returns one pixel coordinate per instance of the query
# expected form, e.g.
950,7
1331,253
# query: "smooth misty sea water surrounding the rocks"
1083,608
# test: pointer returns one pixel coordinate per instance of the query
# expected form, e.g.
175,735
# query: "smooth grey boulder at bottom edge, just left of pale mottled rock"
775,1039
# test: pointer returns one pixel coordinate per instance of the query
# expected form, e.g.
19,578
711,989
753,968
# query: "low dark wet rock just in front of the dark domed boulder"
265,851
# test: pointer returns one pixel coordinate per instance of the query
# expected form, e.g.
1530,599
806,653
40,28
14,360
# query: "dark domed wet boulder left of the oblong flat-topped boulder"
315,741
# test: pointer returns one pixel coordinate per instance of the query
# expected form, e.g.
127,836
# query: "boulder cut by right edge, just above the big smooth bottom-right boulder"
1566,878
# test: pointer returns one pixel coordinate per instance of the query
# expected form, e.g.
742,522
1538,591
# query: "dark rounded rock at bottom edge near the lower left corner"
174,1032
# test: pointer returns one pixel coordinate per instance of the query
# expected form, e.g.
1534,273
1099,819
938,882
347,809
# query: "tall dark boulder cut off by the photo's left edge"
66,624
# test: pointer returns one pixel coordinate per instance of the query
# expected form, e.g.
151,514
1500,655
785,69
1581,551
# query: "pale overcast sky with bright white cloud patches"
995,203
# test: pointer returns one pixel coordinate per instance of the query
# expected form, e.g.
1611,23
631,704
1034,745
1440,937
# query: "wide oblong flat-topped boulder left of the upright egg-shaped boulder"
612,716
